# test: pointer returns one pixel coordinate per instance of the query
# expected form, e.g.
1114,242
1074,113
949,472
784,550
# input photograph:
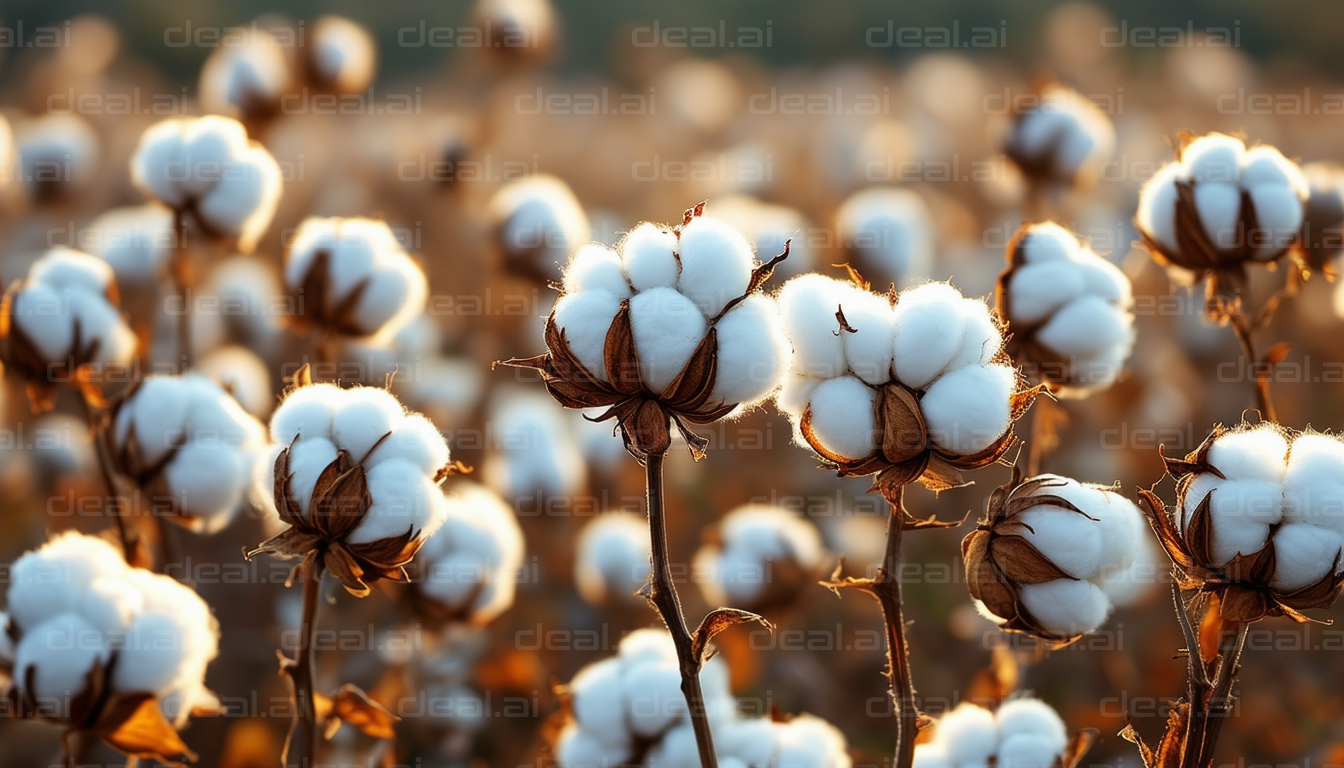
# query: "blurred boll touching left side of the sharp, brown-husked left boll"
190,445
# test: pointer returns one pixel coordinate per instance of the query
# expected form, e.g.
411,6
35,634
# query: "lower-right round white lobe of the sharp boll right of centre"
967,411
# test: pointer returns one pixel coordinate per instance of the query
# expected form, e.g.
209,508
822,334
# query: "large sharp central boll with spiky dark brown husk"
669,329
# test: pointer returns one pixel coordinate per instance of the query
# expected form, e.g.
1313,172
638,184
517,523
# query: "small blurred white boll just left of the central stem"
612,562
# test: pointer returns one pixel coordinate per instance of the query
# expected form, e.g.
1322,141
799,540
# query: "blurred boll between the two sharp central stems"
763,562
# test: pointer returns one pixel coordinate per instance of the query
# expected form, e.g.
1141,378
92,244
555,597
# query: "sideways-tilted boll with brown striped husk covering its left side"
1050,555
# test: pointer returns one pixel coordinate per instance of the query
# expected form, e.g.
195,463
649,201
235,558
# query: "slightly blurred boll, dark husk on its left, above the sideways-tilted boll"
1068,310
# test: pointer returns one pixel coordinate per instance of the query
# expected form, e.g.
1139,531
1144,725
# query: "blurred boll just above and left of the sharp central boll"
538,224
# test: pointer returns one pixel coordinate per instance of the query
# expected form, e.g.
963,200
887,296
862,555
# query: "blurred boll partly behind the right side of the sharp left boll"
471,568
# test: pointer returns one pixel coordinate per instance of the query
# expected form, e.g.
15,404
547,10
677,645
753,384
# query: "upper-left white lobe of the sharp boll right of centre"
808,305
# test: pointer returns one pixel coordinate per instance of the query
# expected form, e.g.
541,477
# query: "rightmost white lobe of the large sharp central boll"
753,352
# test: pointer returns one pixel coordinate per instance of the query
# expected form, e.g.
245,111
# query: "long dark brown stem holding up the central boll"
663,597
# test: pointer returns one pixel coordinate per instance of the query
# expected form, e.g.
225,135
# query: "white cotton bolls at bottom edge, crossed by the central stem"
630,709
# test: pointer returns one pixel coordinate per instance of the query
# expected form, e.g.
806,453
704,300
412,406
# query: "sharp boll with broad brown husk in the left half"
355,479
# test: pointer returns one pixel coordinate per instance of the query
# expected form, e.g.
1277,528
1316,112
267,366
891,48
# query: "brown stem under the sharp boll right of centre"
886,588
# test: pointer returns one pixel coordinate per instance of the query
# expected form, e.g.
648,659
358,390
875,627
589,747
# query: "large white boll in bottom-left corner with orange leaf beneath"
107,652
